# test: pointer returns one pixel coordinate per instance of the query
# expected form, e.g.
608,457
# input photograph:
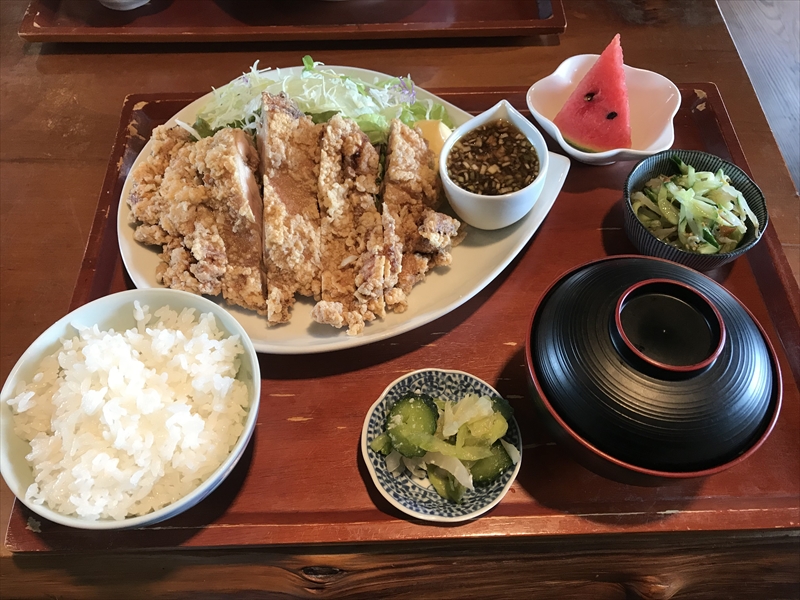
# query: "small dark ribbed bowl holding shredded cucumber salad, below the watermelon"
661,164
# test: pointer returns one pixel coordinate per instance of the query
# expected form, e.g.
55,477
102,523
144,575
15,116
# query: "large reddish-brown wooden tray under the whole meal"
303,481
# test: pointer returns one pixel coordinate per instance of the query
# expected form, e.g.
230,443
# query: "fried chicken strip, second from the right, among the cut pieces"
351,233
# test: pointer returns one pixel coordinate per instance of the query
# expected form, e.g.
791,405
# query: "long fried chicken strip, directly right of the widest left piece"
288,142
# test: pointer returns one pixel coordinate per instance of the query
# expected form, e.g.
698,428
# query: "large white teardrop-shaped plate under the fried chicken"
476,262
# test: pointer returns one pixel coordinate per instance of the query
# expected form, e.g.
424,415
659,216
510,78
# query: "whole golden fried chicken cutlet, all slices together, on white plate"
318,230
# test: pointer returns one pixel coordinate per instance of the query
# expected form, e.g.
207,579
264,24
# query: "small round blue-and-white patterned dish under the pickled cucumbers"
403,492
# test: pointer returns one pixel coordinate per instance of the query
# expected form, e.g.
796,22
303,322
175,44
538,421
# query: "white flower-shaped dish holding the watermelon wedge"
654,101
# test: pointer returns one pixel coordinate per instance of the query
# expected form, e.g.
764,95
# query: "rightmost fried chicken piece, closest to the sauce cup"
410,192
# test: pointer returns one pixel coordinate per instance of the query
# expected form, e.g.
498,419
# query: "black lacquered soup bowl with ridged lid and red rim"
649,371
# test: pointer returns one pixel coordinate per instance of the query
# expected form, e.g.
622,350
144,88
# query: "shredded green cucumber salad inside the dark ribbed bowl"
697,211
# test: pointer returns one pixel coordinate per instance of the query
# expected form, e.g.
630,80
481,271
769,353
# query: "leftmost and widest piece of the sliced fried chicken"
200,202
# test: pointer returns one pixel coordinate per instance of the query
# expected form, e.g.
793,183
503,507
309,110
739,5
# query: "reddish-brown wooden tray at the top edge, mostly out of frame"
281,20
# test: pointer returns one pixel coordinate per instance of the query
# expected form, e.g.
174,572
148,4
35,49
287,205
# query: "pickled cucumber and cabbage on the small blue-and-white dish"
453,446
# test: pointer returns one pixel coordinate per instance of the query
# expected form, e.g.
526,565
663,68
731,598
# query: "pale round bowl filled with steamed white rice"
129,410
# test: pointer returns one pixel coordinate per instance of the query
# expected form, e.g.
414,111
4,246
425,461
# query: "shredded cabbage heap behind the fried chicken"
320,93
